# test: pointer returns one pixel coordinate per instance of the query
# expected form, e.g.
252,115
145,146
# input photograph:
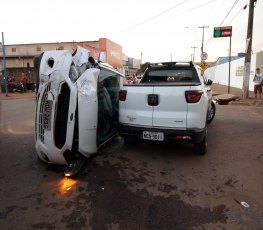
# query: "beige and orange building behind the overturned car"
20,57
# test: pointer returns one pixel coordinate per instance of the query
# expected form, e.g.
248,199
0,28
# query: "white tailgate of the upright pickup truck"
169,112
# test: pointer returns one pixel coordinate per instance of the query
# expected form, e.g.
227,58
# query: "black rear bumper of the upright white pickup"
188,135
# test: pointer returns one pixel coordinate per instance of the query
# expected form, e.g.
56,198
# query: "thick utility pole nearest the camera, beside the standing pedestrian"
246,75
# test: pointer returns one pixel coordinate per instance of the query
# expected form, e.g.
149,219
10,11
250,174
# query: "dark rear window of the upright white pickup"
171,75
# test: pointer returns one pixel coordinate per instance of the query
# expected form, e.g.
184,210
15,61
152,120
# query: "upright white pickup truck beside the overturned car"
172,102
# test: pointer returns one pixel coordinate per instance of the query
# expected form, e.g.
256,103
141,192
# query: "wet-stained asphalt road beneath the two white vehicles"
145,186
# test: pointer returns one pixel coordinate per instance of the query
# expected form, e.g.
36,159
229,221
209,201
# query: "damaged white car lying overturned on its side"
77,106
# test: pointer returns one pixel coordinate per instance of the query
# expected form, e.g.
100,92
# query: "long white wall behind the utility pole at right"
219,74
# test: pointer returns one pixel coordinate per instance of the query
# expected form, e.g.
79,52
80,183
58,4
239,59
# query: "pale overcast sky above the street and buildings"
153,30
